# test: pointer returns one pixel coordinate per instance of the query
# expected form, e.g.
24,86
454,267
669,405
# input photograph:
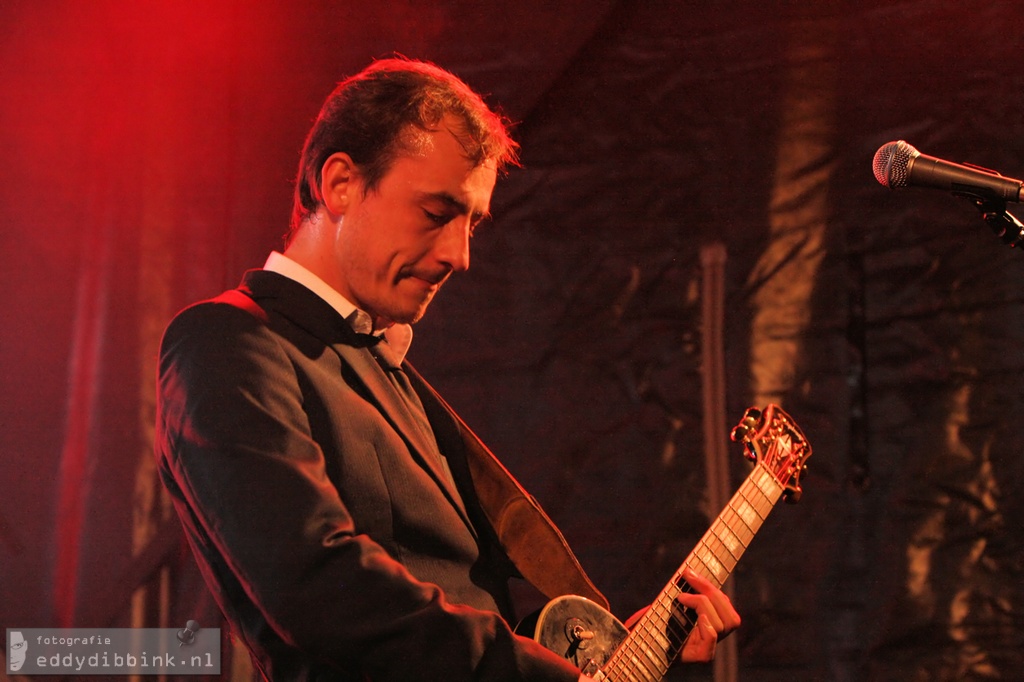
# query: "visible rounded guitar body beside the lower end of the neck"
577,629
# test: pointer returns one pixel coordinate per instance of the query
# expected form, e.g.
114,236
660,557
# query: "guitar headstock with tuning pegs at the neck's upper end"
774,440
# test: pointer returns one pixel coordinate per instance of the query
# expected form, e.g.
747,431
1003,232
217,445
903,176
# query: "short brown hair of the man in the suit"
374,116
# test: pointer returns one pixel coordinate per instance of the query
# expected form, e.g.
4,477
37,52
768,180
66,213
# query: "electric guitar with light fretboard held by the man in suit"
602,647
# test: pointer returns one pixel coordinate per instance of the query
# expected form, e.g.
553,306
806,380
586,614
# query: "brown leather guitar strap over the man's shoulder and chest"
528,535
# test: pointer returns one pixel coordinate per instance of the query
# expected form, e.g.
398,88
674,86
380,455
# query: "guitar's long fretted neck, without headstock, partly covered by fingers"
658,637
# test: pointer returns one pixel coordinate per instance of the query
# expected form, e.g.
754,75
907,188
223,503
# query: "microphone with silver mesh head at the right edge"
900,165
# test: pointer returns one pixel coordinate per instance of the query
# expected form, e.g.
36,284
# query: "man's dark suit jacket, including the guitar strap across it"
322,521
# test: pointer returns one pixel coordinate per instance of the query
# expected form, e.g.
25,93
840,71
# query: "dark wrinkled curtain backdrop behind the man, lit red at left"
147,152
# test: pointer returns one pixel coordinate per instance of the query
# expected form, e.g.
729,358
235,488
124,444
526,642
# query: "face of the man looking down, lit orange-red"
400,243
